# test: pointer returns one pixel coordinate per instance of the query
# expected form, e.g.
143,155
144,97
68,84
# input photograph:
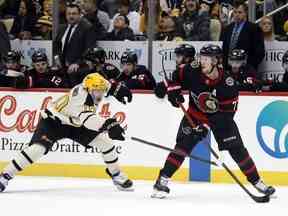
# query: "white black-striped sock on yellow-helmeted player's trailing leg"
28,156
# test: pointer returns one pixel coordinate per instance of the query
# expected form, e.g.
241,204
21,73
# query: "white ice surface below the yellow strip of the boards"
46,196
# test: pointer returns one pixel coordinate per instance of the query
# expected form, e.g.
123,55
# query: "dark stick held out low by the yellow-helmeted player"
173,151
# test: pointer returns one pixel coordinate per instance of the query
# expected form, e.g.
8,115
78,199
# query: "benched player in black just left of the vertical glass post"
135,76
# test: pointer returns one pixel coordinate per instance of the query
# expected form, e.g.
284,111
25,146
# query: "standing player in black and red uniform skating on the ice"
213,99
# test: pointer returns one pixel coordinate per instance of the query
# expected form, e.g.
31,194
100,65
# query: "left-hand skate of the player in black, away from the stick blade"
161,189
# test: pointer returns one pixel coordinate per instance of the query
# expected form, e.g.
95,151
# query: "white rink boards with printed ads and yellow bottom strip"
262,121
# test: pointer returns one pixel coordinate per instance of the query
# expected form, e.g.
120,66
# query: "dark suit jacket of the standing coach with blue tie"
250,39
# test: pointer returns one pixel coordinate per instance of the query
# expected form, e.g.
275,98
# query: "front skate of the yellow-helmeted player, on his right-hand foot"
121,181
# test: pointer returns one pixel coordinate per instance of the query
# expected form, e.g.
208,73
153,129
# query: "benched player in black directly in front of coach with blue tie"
244,75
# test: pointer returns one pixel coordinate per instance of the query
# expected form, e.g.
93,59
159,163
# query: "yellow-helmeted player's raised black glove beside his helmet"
120,92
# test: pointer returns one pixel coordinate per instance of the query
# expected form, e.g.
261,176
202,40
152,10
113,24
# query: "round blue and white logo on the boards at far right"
272,129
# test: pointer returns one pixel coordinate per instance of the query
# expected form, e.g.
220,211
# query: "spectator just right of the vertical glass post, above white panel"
167,29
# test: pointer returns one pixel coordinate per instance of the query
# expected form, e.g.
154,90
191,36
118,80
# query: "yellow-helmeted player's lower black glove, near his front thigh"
115,131
